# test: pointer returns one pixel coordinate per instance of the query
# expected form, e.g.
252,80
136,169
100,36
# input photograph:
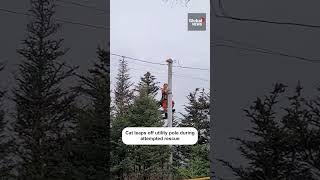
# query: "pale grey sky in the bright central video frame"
155,31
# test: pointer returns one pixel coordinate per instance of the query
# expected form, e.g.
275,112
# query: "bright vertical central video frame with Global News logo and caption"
159,73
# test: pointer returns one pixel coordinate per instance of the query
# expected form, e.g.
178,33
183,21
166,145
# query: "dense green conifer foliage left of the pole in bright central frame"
139,162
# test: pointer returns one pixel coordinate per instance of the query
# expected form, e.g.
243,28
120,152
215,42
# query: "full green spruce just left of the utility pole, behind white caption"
147,160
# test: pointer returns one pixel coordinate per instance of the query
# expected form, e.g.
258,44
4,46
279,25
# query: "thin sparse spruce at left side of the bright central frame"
123,92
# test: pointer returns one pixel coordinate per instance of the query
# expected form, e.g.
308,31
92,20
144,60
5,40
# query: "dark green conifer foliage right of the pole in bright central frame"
192,161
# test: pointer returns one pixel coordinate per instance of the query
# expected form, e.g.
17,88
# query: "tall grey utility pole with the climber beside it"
169,112
